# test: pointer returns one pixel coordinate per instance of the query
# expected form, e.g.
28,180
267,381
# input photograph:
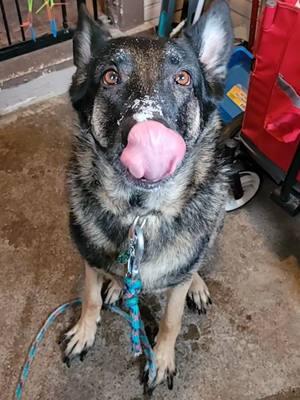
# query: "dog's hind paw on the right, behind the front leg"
198,297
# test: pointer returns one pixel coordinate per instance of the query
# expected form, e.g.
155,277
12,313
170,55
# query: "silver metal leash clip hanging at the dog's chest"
136,247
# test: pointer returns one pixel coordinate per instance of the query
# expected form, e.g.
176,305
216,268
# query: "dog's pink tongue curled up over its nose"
153,151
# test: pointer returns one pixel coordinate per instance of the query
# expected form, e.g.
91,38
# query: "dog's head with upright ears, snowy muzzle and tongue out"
146,101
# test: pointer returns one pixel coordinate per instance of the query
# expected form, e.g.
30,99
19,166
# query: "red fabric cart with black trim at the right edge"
271,126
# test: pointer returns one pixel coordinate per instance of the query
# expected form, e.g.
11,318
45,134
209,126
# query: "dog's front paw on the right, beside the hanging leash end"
166,370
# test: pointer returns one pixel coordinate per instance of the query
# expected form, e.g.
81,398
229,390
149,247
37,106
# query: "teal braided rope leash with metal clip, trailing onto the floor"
132,288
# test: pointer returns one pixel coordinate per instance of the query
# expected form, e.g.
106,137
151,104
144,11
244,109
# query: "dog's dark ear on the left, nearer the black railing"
88,37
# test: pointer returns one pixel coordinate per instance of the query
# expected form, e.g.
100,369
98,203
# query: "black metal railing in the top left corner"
28,25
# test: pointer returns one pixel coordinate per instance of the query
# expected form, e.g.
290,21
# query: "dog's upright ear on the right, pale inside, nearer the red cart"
212,38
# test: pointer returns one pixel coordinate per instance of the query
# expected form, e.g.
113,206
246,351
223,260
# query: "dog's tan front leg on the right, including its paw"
169,329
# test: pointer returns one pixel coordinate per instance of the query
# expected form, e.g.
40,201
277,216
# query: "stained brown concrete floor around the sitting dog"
246,348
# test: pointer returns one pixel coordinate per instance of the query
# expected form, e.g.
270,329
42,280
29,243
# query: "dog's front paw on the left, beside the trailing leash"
78,340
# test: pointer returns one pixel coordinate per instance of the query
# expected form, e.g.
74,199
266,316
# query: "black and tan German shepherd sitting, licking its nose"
148,146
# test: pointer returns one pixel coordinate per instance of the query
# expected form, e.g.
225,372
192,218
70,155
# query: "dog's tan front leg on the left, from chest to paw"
82,336
